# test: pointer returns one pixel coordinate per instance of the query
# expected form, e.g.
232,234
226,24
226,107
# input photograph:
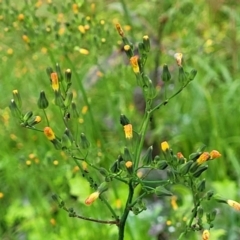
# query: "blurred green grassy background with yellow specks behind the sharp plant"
81,35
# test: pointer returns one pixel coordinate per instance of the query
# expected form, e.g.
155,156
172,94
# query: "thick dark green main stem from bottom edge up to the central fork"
123,219
